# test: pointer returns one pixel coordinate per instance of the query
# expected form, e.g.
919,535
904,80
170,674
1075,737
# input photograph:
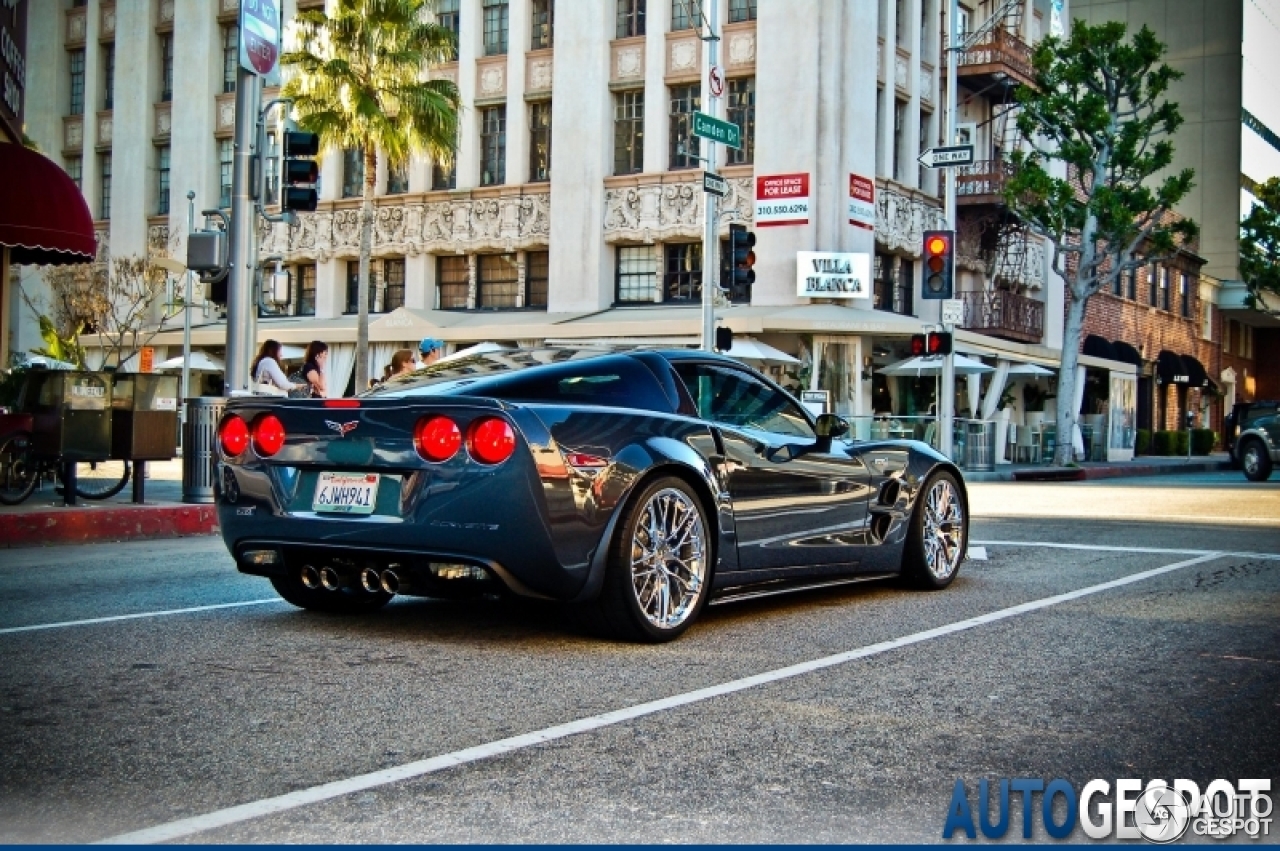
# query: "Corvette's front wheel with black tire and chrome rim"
941,516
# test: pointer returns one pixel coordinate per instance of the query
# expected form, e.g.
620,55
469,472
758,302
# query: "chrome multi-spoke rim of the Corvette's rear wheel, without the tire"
669,559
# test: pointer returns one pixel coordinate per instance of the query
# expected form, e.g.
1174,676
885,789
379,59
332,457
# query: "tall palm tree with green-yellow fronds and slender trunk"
360,84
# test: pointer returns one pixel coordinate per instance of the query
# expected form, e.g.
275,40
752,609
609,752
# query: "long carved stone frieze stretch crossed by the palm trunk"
460,225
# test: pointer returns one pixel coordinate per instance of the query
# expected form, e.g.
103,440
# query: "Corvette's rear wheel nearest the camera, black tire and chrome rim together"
643,573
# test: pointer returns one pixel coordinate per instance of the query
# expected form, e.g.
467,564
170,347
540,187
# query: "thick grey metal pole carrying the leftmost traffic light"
241,310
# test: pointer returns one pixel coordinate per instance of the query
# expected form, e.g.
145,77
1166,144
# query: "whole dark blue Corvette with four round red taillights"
637,487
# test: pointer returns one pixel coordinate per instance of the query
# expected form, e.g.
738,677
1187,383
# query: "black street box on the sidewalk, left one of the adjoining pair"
71,415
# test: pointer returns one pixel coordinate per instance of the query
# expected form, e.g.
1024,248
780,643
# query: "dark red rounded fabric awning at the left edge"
44,218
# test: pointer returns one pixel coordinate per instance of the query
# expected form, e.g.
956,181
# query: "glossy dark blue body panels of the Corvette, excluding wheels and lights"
542,521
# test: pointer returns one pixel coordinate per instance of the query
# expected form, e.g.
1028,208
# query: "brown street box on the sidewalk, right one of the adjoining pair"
145,418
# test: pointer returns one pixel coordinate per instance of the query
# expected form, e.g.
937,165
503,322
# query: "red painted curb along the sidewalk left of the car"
102,524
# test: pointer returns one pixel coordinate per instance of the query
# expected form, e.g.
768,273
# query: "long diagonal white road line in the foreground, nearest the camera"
410,771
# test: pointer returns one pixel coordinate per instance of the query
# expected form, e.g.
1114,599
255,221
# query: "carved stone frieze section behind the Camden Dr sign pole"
662,212
